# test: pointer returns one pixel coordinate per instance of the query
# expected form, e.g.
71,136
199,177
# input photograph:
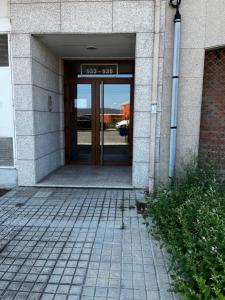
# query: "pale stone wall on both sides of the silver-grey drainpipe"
202,27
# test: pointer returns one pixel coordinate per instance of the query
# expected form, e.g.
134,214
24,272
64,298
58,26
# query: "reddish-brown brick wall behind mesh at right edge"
212,135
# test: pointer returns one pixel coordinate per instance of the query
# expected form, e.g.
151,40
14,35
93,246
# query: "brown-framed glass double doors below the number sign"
99,118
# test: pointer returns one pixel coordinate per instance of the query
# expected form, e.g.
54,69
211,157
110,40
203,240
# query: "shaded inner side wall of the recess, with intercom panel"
47,108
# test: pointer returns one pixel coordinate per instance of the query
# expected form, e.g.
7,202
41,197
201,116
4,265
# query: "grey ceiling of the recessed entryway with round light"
75,45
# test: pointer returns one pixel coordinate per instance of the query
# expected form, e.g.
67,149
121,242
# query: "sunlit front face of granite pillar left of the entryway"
23,101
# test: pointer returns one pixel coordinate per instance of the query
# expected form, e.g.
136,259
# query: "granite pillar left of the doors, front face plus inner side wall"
38,105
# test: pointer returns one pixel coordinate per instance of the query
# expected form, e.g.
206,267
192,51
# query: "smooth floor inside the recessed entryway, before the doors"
90,176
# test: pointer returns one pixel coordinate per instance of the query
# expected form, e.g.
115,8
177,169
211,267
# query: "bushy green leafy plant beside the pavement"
190,220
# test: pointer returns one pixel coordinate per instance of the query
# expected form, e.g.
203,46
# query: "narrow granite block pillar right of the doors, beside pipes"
142,108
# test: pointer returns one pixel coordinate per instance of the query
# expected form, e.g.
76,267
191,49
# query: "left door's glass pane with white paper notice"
82,123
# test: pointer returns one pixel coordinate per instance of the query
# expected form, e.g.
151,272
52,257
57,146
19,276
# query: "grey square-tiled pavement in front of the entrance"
71,244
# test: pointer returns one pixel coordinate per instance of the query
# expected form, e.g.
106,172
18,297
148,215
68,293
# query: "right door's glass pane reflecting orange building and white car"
115,123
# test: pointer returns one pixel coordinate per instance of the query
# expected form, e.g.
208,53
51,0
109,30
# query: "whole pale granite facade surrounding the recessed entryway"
38,78
